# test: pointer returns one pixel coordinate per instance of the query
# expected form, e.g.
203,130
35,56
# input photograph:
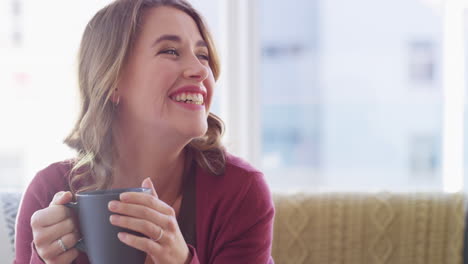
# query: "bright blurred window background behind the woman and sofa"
320,95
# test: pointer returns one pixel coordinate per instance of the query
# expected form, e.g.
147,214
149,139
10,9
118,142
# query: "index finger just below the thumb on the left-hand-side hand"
49,216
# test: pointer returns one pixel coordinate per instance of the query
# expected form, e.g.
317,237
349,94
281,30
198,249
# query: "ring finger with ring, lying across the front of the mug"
139,225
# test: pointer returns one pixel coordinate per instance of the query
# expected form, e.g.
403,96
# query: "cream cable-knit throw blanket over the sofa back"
361,228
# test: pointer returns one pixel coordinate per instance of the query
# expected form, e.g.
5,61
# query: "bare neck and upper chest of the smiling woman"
143,156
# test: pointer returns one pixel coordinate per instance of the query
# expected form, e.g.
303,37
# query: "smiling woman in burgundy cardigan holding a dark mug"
147,70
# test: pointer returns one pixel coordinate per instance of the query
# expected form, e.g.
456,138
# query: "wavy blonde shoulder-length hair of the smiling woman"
105,45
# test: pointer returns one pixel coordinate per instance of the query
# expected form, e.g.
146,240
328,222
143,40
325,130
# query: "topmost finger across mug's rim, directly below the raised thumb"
147,200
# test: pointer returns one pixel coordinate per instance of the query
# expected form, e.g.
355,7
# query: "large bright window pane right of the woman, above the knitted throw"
338,112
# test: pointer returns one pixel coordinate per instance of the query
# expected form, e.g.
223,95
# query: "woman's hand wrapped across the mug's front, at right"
156,220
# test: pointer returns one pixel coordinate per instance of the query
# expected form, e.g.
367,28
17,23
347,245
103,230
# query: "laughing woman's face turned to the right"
167,84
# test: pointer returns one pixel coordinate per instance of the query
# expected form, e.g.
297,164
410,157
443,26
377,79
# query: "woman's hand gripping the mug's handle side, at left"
52,224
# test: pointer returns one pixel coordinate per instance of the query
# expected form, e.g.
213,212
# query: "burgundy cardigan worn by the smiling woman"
234,214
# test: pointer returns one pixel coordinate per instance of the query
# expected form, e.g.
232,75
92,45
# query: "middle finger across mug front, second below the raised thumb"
141,212
